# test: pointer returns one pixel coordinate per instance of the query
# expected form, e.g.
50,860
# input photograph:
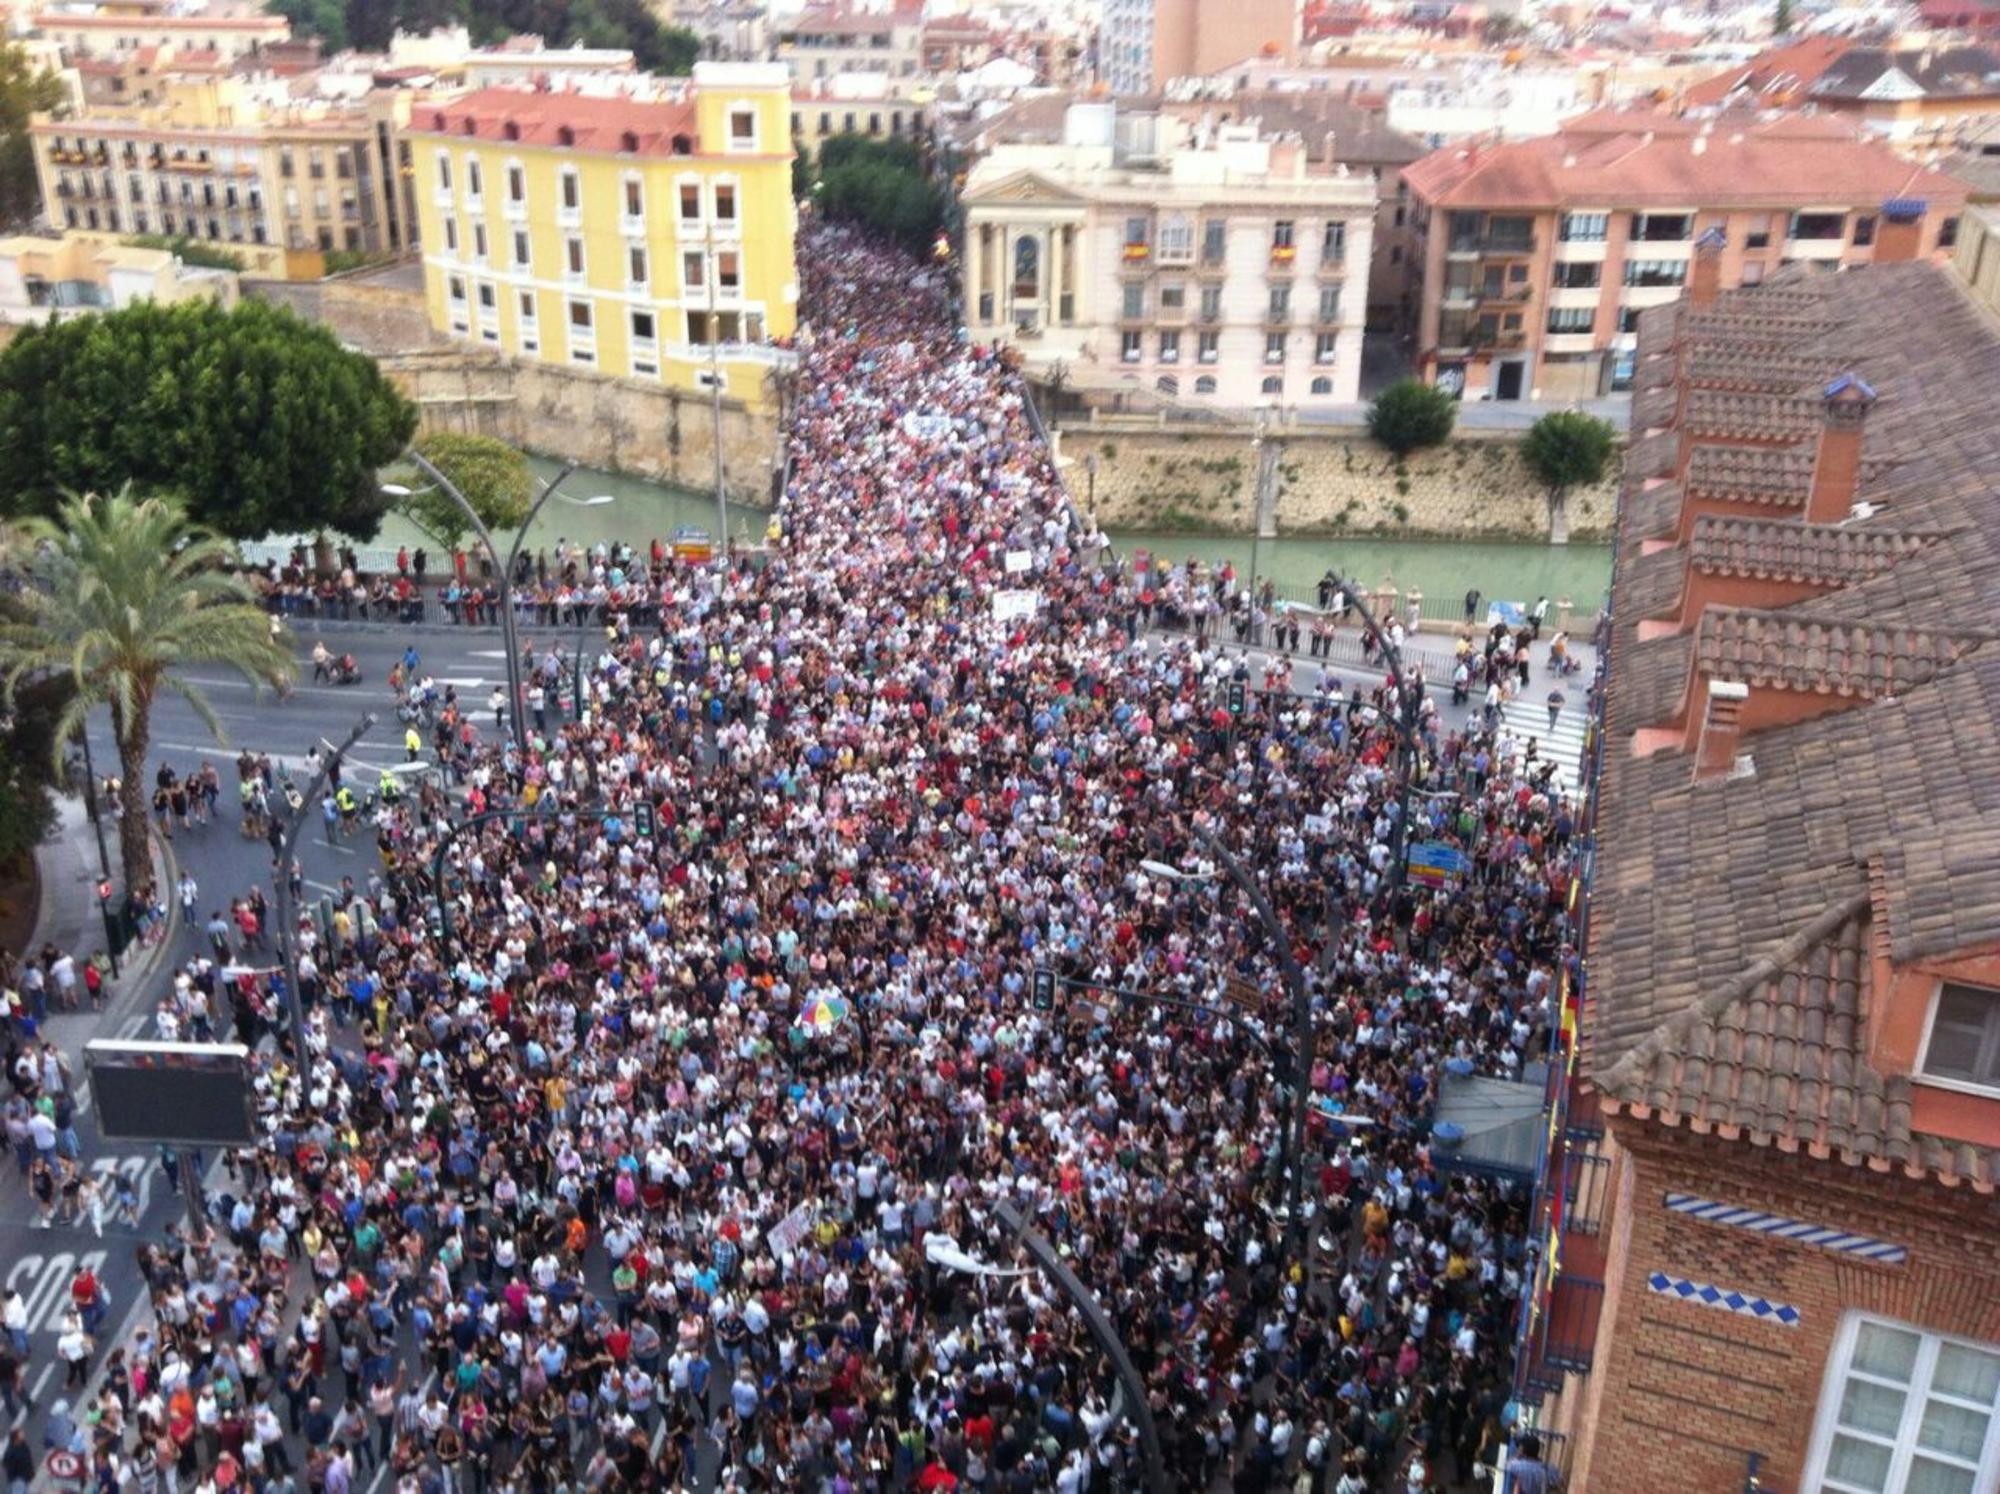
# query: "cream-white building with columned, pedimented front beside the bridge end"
1201,265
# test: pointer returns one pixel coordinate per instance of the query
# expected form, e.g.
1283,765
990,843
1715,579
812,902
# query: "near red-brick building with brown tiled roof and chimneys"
1779,1229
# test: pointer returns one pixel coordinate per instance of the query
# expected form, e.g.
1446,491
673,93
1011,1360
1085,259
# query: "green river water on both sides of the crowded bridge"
1443,571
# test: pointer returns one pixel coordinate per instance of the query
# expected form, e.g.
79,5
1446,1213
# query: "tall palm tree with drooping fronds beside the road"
123,593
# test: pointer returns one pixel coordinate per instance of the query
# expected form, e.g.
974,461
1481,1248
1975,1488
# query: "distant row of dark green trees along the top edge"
371,25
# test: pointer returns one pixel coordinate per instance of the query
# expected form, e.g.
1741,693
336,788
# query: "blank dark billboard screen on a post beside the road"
179,1093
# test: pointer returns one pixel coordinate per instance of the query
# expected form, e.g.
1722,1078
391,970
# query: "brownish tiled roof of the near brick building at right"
1739,1001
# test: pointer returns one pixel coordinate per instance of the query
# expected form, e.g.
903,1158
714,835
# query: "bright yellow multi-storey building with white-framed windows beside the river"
617,235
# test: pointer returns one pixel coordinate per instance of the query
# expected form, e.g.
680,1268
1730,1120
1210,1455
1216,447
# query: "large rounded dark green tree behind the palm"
257,421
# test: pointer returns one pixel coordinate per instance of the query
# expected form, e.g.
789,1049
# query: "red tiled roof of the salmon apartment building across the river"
1665,161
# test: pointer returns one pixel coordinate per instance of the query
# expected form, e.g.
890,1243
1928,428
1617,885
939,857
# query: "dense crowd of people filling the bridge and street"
667,1085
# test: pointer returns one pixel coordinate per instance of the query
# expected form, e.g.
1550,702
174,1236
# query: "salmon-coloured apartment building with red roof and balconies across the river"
1541,255
